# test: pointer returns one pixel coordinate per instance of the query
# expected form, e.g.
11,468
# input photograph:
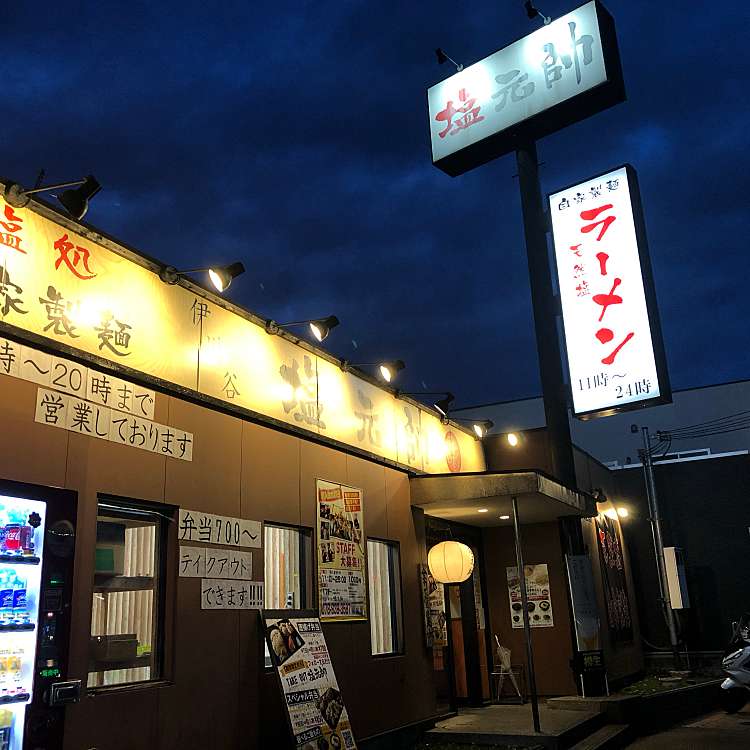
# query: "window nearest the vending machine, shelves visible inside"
127,613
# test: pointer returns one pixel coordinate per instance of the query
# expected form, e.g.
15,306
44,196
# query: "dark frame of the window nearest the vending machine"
165,516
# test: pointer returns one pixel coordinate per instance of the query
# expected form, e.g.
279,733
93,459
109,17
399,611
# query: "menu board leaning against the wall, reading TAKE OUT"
314,704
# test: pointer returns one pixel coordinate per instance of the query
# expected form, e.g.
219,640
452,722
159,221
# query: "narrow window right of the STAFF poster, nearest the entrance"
384,578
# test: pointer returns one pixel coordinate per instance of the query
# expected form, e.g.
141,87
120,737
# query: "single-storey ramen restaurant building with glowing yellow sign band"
189,445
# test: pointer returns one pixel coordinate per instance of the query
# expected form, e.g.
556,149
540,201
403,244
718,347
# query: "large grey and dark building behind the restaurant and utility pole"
702,477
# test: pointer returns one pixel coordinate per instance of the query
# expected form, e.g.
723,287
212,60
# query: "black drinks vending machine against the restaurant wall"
37,542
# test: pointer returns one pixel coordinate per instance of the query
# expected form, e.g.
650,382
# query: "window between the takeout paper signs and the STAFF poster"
287,567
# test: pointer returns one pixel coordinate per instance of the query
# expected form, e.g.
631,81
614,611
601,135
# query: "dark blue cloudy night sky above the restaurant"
293,136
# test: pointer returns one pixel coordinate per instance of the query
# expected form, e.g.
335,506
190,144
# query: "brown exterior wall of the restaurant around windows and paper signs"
221,697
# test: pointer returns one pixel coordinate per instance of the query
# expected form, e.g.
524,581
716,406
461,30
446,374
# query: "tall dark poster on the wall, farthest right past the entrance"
613,579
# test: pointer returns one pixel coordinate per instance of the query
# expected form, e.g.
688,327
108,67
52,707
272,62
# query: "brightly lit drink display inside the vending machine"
22,526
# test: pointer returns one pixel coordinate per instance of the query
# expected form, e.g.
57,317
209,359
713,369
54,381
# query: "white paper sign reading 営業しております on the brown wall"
92,420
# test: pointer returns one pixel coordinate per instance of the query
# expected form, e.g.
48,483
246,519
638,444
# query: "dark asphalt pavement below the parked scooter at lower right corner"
715,730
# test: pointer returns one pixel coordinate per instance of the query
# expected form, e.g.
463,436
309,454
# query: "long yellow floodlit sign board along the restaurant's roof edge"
66,286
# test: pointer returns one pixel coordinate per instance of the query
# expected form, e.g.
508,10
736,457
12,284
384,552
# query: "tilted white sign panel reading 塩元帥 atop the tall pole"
544,69
